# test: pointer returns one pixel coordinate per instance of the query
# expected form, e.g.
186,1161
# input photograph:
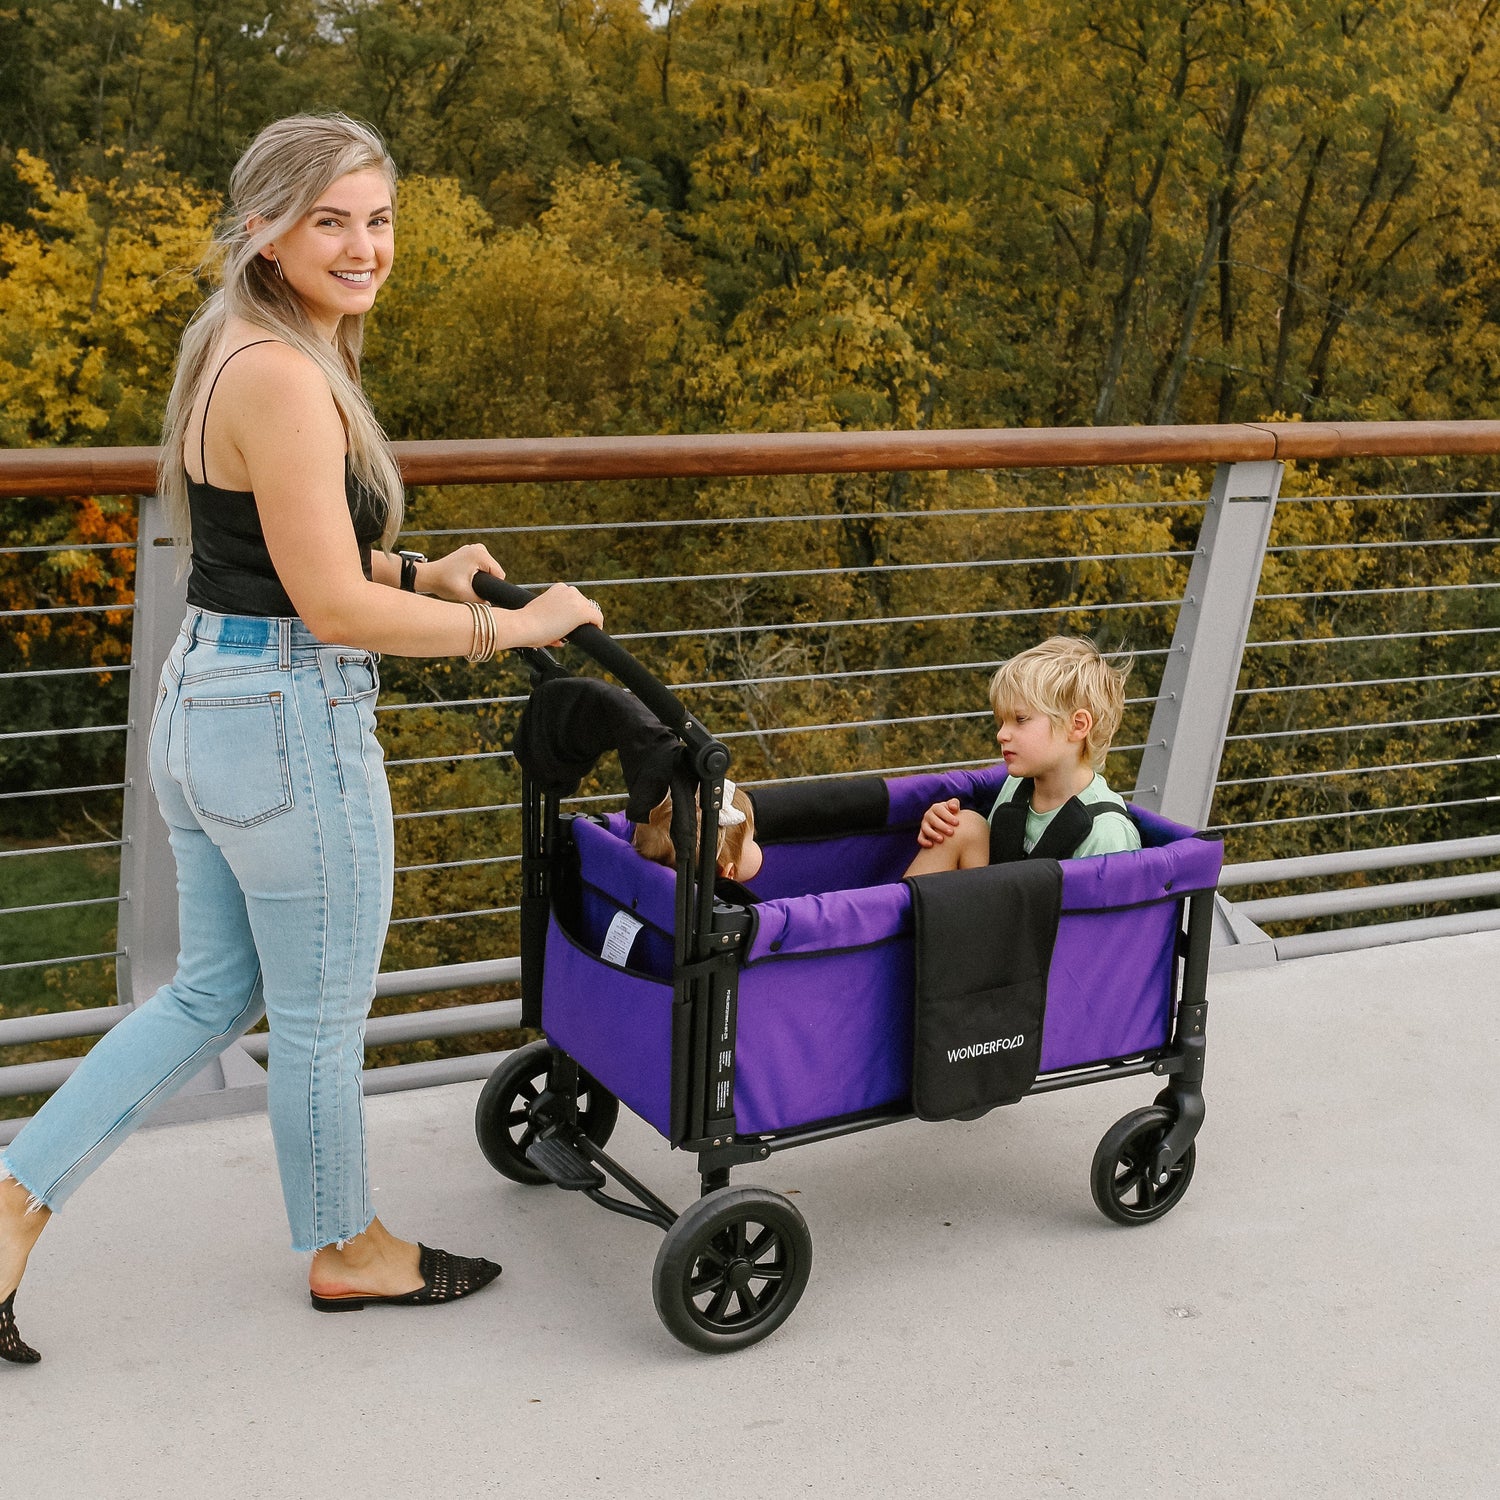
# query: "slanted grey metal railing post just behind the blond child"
1180,766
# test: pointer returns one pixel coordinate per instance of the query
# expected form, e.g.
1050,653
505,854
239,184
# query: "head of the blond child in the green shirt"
1070,685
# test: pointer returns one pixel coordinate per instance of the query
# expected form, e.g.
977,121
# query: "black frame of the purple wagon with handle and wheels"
734,1265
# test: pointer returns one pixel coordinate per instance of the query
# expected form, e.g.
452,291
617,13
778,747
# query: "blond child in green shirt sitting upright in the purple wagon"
1057,710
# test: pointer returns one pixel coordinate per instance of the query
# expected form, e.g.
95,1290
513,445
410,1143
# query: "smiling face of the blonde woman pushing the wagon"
338,256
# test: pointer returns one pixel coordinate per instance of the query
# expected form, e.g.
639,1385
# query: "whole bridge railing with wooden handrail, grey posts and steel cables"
821,626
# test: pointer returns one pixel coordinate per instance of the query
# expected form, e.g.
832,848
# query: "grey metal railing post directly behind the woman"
148,869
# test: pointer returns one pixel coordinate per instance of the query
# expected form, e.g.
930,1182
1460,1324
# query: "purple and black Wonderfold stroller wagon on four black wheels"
743,1024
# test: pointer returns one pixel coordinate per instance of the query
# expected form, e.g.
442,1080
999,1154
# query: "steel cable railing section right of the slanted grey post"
1384,734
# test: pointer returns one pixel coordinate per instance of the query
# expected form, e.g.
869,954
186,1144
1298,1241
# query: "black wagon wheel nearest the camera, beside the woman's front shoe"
731,1270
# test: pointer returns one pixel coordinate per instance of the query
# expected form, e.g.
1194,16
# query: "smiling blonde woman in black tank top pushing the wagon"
263,748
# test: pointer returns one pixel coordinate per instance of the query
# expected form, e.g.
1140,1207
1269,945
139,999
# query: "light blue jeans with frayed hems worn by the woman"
266,766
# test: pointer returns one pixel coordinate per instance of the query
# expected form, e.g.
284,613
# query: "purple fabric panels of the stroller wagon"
826,992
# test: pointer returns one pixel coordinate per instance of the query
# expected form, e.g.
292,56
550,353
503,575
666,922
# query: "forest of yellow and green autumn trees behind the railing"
775,215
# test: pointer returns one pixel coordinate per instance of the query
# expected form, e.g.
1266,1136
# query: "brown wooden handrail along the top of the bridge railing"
512,461
